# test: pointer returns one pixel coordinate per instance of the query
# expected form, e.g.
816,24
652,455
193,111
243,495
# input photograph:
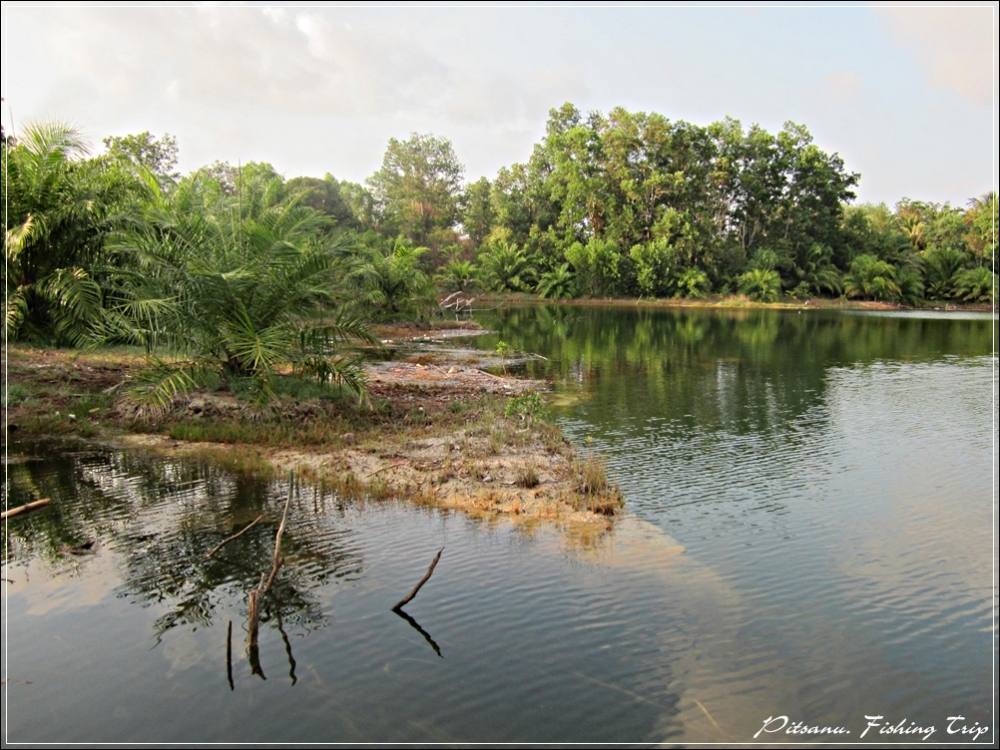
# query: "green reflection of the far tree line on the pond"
737,371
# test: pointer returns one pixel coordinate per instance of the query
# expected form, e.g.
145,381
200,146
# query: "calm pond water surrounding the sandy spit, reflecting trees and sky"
809,533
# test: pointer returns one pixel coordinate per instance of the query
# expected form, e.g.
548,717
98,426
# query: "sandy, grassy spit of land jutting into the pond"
467,440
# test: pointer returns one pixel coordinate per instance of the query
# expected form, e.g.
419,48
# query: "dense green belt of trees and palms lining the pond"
240,269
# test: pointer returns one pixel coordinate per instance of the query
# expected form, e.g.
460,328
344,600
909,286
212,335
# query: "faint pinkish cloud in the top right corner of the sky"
954,44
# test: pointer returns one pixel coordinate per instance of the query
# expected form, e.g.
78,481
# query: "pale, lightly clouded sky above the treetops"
907,95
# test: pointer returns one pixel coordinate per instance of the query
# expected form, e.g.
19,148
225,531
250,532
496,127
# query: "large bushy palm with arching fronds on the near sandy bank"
230,298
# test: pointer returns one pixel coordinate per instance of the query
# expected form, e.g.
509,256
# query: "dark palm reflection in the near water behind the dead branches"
160,517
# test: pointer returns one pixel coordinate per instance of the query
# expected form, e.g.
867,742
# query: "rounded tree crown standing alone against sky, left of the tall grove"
417,187
